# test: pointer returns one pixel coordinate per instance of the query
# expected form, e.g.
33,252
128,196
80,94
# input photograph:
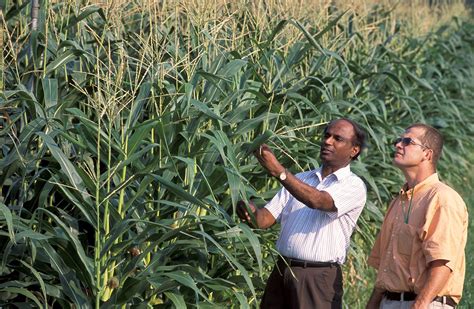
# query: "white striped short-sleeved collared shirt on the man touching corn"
312,234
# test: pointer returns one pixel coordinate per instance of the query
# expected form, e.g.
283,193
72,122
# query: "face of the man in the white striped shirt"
337,147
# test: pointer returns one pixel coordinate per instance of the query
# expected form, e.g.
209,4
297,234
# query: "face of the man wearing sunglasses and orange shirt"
412,153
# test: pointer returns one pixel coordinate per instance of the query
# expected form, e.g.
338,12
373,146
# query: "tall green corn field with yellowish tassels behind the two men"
125,130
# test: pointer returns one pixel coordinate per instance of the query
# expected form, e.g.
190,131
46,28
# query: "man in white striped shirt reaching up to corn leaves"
318,211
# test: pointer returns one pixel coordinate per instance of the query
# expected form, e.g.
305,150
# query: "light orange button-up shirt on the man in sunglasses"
436,230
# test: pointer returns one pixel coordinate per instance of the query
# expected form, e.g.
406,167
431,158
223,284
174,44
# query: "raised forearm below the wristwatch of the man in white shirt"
308,195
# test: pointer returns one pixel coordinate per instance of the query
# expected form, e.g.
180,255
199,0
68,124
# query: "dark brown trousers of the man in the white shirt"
298,287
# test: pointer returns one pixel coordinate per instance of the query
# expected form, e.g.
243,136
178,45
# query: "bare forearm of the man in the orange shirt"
438,275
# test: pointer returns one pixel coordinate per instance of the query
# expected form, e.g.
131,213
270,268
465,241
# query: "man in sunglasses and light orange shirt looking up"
419,252
